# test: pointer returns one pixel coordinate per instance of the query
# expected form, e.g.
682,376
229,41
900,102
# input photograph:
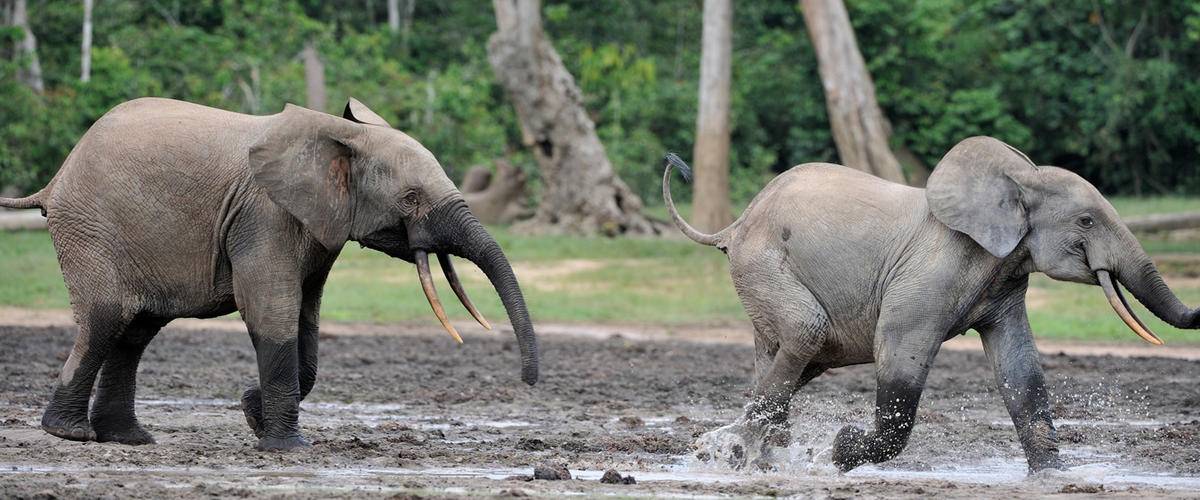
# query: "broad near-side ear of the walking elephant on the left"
303,162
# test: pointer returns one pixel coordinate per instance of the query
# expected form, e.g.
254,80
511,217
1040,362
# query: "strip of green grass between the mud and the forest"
631,281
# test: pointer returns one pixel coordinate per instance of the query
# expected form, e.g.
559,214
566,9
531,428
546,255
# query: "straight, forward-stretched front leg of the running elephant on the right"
1016,362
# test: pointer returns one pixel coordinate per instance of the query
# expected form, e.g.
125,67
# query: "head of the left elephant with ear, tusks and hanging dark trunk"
356,178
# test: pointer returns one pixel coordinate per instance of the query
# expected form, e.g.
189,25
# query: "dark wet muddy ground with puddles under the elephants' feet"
413,414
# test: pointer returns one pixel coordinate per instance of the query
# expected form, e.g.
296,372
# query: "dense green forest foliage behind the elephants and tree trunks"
1107,88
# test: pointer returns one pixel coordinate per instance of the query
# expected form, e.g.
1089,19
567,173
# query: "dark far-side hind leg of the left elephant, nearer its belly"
112,414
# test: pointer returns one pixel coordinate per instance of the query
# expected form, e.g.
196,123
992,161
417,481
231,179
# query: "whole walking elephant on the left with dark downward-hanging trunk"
170,210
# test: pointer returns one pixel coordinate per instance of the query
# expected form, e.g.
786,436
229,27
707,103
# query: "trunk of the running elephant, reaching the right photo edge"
1137,272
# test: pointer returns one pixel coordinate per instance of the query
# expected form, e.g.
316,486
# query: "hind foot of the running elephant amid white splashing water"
742,444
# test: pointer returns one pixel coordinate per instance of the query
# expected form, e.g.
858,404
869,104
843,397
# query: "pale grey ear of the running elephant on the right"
973,190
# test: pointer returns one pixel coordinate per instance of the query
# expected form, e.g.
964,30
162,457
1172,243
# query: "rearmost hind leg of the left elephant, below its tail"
67,417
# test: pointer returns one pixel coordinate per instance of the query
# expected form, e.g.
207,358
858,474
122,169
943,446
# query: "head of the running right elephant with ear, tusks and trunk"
995,195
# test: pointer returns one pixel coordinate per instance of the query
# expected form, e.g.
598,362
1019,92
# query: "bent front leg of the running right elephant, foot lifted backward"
904,352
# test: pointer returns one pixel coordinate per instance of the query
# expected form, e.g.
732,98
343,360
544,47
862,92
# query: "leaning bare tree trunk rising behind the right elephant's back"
860,128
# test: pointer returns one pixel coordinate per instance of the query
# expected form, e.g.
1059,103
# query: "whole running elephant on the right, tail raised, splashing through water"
839,268
